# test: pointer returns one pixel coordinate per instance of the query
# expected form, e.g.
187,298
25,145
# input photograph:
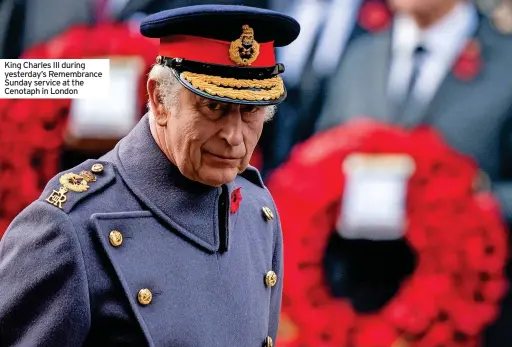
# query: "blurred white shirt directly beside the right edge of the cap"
338,16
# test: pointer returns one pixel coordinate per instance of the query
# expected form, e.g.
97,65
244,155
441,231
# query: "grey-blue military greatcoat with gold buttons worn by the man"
143,257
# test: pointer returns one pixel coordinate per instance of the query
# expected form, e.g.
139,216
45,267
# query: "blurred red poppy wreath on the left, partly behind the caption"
32,131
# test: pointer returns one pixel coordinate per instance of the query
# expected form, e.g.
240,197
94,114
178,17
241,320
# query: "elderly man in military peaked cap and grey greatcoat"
170,239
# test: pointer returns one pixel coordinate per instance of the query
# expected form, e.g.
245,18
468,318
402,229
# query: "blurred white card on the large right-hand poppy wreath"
374,198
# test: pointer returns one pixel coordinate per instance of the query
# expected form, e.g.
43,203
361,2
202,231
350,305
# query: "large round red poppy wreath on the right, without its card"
455,231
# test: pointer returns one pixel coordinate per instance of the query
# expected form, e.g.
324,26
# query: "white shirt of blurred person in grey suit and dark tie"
443,41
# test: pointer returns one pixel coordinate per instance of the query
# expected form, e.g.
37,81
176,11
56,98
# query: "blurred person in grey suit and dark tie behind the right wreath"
445,64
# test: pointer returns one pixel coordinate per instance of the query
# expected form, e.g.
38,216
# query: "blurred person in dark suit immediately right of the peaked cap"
328,28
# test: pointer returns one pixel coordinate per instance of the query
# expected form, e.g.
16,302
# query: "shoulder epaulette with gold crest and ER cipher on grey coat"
67,188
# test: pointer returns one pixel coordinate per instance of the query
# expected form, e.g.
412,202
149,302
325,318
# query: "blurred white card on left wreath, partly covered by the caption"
114,115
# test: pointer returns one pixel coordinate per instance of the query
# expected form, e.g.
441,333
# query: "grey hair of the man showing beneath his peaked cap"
168,89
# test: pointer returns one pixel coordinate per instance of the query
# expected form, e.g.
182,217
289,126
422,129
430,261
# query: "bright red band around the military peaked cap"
210,51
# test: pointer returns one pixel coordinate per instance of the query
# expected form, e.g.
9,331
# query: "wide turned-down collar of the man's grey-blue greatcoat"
187,207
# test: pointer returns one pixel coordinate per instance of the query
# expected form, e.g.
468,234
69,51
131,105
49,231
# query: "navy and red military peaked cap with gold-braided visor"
224,52
